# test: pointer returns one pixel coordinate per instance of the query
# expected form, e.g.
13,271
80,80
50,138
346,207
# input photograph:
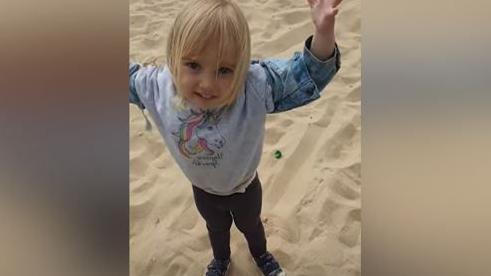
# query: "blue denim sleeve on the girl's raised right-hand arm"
299,80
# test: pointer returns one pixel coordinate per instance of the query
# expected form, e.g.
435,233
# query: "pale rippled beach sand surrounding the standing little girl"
311,196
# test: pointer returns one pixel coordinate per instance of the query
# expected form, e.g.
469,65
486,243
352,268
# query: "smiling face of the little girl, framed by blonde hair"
204,82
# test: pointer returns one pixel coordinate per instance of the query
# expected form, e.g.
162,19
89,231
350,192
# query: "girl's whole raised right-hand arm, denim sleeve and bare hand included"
299,80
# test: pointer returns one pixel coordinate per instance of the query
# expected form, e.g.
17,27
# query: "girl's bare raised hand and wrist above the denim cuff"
323,16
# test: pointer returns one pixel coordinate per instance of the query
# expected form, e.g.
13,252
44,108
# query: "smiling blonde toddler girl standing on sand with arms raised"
210,103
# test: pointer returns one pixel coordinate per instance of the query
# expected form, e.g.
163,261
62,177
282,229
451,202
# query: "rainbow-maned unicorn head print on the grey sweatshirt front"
198,133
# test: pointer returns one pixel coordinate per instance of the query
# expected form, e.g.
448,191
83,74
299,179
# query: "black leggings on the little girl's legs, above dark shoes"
243,208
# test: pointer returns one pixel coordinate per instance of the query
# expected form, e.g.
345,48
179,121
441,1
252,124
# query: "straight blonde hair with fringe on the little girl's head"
202,20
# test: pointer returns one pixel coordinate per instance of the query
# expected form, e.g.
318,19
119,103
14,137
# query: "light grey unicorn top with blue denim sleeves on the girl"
219,151
